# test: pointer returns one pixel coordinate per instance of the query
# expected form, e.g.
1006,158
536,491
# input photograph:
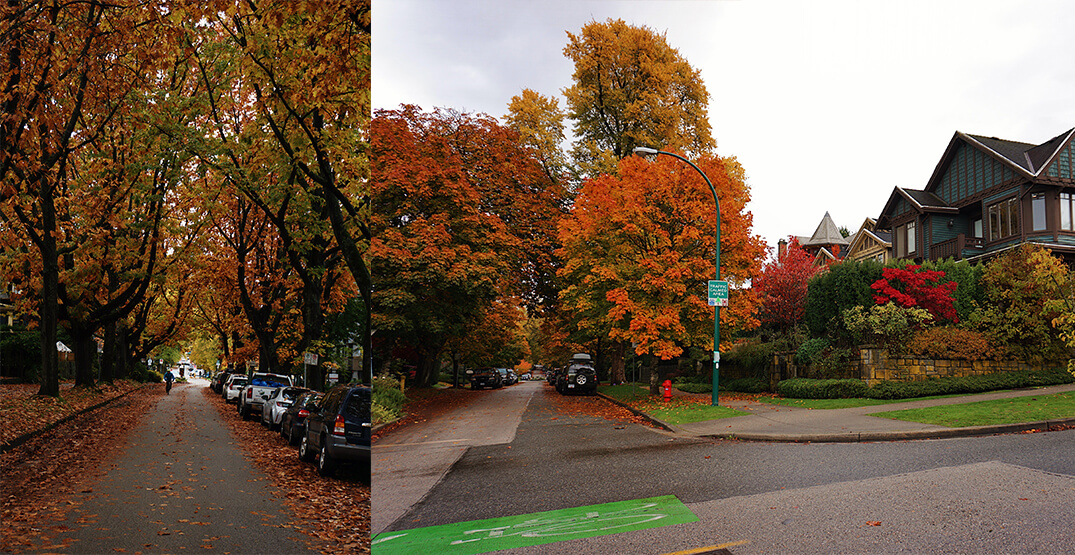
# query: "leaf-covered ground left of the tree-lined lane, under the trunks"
23,411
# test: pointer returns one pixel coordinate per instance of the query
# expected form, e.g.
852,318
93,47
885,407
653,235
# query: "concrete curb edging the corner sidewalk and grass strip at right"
896,436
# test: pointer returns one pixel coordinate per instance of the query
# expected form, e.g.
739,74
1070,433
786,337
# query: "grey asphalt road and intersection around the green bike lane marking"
1007,494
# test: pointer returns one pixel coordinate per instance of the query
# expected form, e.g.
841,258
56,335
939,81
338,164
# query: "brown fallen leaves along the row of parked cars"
335,513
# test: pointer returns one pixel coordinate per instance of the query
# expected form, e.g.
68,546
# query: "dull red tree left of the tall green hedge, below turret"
782,288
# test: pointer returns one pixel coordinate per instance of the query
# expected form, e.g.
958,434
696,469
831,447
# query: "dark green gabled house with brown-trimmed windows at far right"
988,195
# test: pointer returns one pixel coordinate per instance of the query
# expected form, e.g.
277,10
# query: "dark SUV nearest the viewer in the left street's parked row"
339,431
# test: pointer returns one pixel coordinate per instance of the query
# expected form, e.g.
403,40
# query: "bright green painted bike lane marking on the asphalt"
524,531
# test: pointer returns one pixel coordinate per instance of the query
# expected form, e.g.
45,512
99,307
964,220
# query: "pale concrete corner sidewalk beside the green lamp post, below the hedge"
778,423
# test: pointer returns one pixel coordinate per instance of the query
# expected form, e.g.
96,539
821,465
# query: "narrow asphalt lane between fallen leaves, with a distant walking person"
182,486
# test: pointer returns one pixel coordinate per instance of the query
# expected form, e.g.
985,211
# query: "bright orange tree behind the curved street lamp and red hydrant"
639,250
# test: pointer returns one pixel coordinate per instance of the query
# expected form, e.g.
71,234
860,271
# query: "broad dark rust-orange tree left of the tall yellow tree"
458,206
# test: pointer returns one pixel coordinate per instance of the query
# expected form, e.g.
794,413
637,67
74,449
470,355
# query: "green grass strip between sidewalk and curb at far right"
1033,408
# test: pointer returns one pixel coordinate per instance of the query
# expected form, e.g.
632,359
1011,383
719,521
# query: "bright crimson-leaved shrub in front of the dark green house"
913,287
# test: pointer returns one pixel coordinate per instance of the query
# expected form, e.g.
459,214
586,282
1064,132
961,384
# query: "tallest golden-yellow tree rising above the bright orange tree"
632,89
